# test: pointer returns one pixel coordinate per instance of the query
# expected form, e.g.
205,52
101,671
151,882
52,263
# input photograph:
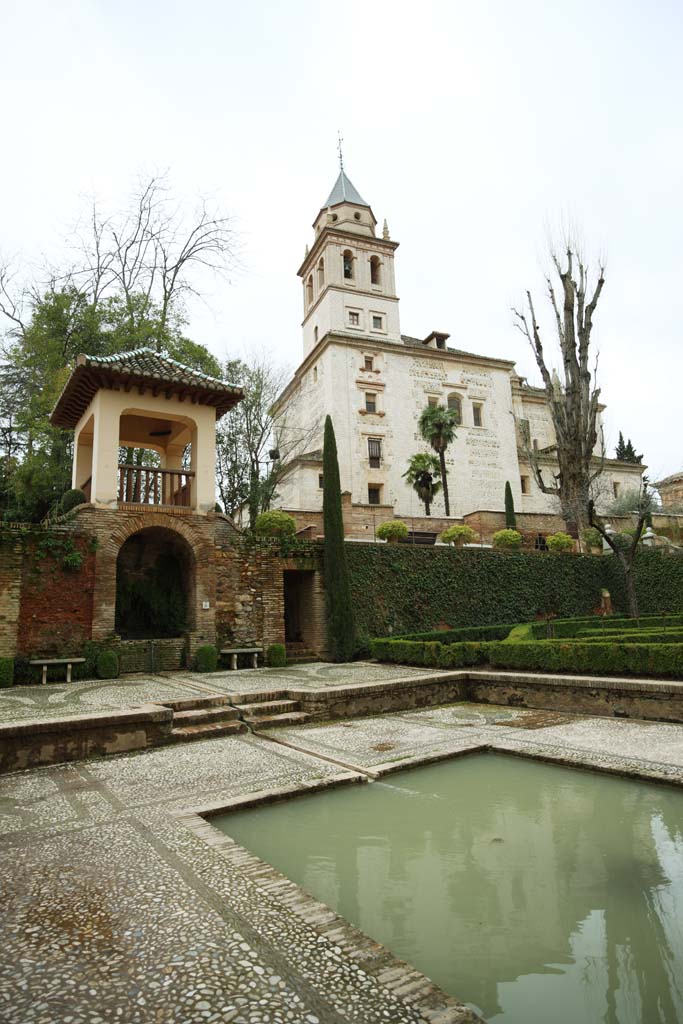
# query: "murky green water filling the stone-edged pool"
532,892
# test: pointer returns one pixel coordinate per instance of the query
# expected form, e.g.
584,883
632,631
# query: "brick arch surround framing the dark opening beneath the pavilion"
115,528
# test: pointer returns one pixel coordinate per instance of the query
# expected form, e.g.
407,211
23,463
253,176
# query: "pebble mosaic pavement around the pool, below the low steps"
113,910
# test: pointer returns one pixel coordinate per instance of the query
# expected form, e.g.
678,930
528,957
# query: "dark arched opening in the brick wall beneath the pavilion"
155,593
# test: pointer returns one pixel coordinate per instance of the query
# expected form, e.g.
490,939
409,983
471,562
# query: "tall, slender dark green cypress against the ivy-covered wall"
341,629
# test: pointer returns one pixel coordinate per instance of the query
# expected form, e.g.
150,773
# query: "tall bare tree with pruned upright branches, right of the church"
574,402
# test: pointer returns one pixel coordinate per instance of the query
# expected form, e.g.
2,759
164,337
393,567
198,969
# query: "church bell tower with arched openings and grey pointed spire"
348,277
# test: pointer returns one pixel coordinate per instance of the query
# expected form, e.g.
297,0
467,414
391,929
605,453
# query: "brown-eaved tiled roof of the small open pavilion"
145,368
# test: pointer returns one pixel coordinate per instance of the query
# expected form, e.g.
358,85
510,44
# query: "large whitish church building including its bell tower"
375,381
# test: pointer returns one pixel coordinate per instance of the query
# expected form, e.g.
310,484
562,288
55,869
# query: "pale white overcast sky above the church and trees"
477,130
